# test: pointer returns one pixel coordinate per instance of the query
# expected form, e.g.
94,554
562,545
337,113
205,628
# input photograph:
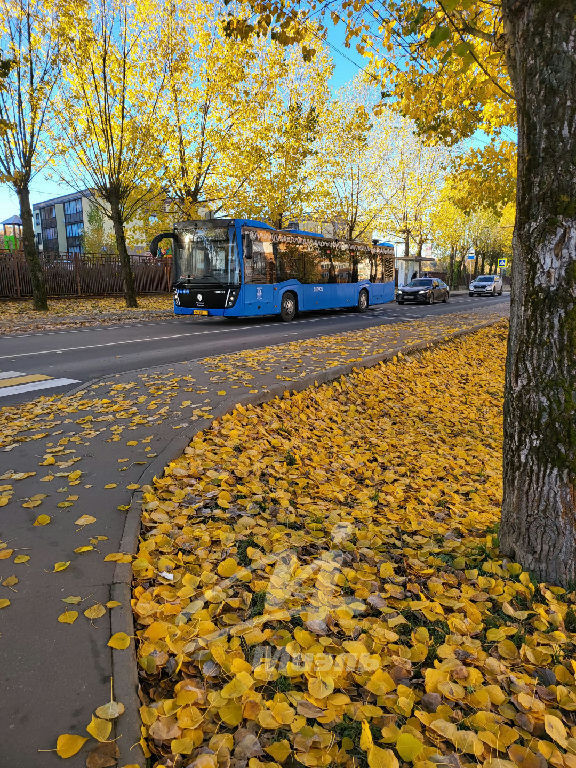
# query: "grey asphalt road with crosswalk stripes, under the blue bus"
56,361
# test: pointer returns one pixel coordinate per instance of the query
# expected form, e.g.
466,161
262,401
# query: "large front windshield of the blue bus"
208,254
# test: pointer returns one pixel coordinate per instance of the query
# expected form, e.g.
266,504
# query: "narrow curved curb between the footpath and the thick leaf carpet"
124,667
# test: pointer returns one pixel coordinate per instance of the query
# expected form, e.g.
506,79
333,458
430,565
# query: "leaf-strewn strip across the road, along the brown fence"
19,316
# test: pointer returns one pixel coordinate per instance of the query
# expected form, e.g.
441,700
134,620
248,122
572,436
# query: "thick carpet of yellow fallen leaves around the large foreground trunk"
319,583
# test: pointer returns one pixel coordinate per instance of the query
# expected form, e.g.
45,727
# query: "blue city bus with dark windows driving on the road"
245,268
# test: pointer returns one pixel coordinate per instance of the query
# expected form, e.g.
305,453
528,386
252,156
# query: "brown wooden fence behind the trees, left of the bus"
85,274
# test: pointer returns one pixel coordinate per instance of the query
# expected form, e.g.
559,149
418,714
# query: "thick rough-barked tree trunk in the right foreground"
539,505
